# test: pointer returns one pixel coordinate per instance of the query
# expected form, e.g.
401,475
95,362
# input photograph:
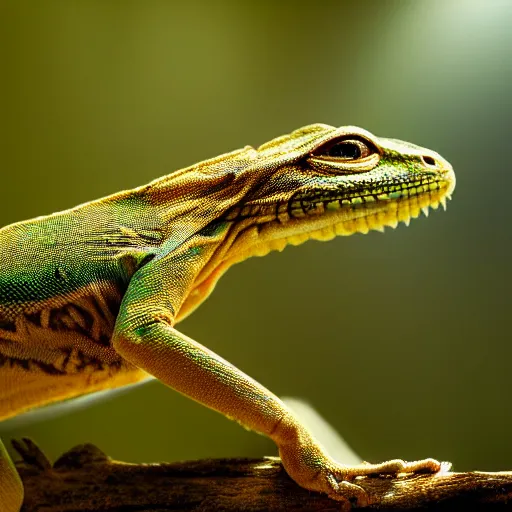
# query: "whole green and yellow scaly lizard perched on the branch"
90,296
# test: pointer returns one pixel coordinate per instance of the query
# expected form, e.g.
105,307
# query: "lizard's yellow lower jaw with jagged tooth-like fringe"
261,229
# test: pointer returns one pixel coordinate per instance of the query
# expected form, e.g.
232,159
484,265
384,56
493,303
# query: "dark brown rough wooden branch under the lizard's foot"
86,480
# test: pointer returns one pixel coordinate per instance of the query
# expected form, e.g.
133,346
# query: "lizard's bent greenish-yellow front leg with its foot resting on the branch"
145,336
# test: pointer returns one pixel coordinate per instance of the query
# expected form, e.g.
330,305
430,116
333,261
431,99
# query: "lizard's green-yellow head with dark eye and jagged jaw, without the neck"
322,181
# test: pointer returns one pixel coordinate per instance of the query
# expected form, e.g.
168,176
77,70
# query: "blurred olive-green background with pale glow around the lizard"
401,341
